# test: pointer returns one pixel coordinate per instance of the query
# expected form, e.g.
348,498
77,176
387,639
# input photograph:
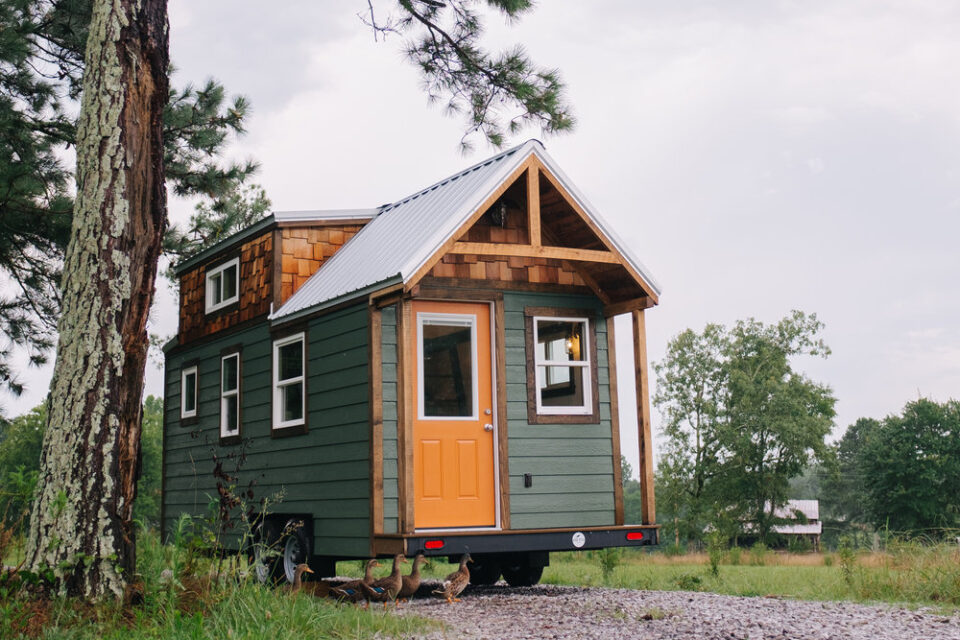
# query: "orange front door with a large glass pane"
453,429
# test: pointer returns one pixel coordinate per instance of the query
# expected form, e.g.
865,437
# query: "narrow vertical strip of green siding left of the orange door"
388,337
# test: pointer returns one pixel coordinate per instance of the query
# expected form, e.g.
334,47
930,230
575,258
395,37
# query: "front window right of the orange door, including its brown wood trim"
561,367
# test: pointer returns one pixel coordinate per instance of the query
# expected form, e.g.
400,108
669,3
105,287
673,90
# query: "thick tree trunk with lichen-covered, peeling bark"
81,525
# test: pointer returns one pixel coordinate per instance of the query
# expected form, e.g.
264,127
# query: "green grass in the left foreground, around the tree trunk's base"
233,609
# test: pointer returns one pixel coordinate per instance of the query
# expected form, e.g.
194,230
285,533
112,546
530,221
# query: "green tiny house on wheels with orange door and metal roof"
437,374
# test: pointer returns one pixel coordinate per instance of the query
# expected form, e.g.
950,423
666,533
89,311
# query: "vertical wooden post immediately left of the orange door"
405,355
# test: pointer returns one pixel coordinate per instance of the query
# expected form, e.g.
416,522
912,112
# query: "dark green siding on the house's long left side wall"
324,472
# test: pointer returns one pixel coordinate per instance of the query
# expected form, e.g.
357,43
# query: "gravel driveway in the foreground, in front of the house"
571,612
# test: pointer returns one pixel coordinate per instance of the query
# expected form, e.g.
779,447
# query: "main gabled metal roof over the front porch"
405,234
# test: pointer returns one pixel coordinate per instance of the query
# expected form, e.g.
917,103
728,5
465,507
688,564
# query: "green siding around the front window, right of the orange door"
571,464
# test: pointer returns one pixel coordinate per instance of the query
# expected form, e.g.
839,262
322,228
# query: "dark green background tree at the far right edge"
912,462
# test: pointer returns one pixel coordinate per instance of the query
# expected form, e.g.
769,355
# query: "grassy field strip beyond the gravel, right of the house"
907,573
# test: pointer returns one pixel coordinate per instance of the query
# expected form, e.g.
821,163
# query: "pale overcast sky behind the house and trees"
757,156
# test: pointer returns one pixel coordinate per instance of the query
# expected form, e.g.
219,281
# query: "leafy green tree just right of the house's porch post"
739,422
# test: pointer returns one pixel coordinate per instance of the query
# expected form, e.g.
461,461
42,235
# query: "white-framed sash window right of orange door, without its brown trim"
562,365
